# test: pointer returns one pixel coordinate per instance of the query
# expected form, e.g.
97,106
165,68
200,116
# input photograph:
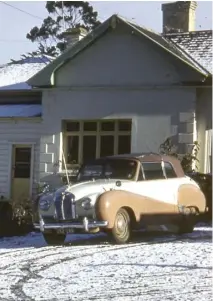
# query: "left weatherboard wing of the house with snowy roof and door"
20,127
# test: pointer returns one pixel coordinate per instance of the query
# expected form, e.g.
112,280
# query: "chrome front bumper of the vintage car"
85,225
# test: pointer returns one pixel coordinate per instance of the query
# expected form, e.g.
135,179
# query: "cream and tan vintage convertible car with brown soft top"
119,194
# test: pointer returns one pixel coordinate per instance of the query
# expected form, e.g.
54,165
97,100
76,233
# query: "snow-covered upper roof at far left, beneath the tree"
14,75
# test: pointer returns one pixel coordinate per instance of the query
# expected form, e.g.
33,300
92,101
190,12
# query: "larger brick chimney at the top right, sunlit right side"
179,16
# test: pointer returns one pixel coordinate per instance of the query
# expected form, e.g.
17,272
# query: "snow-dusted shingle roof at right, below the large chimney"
196,44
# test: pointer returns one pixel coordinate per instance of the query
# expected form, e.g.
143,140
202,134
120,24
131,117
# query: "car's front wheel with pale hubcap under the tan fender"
121,232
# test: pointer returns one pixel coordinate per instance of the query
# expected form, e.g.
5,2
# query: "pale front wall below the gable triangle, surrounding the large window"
156,115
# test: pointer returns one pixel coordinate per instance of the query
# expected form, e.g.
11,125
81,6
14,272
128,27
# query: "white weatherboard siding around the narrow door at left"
17,131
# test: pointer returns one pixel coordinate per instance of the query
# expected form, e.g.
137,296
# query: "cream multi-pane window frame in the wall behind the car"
98,133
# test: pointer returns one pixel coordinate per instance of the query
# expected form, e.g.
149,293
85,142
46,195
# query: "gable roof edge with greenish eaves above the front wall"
45,77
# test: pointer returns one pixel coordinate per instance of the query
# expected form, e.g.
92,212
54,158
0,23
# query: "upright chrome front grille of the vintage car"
65,209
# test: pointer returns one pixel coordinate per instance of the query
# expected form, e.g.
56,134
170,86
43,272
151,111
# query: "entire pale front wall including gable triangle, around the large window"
120,76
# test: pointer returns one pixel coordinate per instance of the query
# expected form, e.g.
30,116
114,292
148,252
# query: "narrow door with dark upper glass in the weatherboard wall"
21,172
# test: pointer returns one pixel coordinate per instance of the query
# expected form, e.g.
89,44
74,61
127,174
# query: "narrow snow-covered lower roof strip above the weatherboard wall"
20,110
